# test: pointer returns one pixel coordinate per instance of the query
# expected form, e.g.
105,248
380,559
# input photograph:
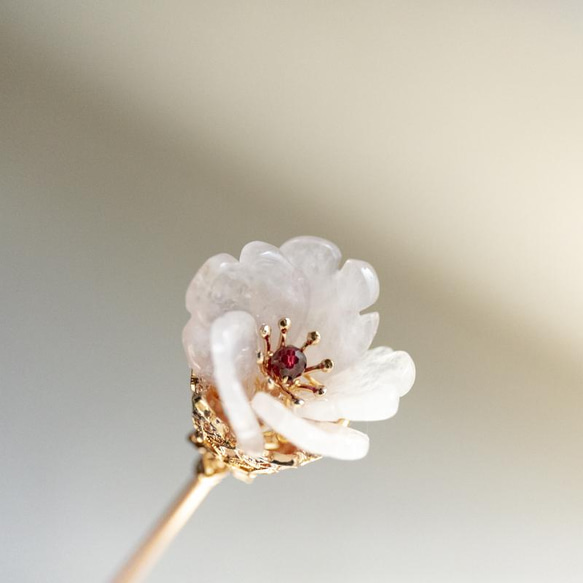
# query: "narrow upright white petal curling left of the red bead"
233,346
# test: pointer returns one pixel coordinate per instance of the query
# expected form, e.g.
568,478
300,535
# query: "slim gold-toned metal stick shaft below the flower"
146,556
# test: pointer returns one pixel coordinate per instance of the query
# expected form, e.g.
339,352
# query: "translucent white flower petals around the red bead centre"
229,302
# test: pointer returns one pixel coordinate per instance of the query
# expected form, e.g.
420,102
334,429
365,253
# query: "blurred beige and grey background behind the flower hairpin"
441,141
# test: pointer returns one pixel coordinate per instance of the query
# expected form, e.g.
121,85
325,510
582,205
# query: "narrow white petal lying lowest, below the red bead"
326,439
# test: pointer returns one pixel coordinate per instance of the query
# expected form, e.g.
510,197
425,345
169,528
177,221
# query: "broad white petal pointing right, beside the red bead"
367,391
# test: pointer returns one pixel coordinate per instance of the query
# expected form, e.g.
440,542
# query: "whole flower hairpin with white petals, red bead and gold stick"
280,358
